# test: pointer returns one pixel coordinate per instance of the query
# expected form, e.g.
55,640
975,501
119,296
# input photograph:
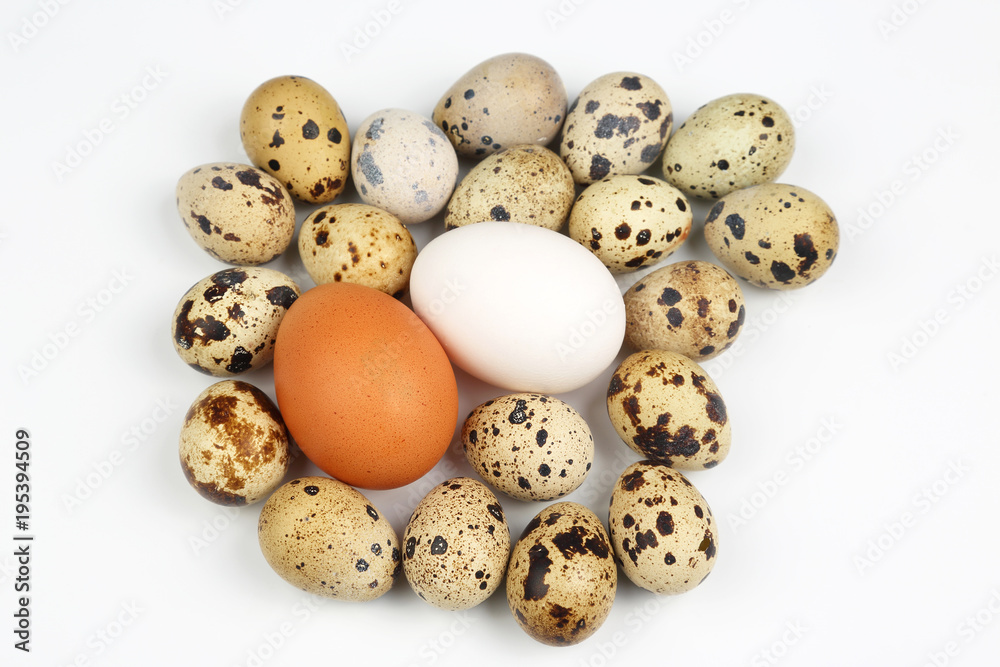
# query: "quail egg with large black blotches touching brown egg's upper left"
226,324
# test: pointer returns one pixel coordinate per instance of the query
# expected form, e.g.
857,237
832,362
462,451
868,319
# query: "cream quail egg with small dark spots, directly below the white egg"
529,446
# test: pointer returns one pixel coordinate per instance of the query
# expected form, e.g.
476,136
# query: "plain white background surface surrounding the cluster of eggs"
844,537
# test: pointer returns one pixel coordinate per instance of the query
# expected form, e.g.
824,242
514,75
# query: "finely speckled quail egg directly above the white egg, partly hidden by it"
528,184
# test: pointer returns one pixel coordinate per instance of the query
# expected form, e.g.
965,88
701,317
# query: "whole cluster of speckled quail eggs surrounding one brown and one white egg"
364,381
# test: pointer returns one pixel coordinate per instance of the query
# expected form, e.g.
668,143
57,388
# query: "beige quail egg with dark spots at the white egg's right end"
694,308
